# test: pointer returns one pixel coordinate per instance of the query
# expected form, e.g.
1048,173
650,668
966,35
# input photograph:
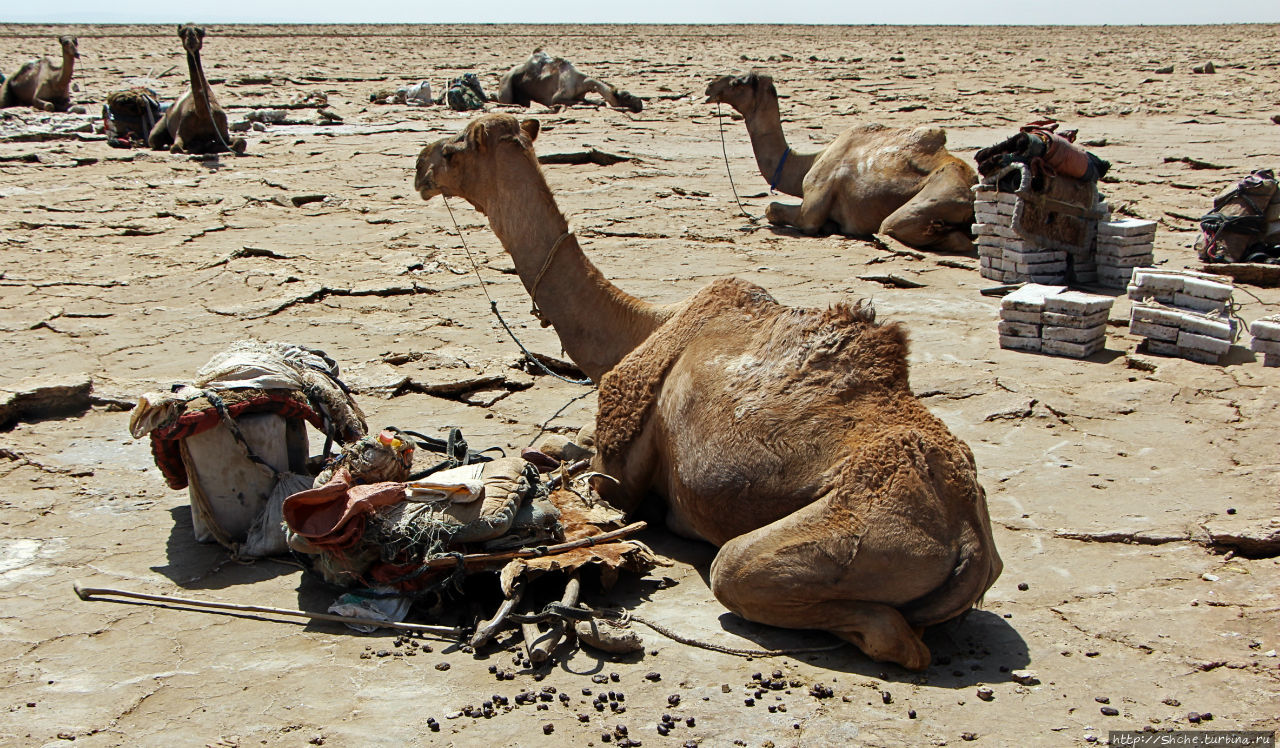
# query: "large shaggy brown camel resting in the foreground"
788,437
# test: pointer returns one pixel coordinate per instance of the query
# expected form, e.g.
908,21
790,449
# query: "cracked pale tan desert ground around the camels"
1133,498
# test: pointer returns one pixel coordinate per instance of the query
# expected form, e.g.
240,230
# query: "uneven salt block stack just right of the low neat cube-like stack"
1182,313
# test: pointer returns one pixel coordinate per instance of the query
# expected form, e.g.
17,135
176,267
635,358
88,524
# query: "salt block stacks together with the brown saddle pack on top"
1040,217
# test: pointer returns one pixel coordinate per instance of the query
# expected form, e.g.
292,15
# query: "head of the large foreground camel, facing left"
461,166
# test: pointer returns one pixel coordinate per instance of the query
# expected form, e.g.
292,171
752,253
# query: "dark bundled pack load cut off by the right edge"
1245,225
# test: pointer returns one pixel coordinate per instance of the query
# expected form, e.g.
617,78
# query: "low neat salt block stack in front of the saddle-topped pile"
1050,320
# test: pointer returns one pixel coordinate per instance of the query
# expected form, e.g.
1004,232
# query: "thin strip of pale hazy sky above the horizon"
1007,12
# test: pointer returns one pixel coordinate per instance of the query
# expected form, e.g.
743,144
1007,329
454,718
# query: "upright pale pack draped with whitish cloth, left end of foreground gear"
236,437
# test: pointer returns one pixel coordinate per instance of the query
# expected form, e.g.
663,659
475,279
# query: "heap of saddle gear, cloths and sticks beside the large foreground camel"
365,521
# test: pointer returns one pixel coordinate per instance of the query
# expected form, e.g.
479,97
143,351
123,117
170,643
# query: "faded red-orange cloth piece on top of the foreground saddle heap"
333,517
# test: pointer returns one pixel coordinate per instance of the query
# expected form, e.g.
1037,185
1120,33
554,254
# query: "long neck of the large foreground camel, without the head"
597,322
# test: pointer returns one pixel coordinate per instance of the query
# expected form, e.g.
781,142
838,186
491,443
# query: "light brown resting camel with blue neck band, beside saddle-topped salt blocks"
871,180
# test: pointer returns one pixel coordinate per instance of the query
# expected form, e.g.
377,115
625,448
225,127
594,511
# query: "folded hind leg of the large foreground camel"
803,572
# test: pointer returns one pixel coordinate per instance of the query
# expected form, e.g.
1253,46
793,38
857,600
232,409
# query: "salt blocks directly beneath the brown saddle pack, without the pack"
1004,254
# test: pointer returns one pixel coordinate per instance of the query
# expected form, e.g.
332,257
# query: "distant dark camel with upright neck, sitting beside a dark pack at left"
195,124
